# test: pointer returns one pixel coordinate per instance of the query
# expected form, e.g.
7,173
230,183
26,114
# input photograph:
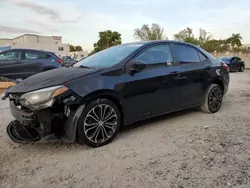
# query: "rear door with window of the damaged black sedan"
194,73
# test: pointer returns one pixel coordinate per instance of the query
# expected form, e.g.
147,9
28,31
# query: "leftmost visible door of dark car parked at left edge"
10,62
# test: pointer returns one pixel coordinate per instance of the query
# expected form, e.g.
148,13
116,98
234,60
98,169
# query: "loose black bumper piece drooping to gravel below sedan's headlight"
22,134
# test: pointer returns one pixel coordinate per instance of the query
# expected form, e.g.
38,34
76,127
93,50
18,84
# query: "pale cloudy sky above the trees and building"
79,21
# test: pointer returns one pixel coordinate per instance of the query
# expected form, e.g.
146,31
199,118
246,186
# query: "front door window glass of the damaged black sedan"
156,56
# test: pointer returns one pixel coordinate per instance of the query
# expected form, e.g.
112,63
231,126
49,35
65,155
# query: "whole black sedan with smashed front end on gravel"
116,87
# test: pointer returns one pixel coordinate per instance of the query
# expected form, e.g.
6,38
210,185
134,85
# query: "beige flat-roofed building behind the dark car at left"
38,42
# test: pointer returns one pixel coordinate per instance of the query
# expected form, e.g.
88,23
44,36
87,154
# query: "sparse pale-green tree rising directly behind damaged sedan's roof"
155,32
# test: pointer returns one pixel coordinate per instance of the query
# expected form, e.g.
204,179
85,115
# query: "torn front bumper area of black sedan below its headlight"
30,126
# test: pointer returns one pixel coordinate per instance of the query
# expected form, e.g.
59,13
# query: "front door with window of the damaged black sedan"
153,90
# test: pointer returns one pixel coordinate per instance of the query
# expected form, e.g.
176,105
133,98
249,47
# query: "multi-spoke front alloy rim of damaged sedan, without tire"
100,123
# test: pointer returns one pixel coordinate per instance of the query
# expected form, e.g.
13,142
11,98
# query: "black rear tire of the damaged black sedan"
208,105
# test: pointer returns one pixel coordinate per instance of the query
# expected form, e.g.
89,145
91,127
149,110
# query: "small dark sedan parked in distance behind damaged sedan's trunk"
234,63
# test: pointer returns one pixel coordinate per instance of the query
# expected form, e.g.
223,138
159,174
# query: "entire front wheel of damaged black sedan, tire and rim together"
99,123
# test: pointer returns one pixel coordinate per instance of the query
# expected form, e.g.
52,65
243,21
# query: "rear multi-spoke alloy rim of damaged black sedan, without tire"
215,99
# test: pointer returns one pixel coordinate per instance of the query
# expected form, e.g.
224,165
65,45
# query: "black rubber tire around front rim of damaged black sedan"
82,131
